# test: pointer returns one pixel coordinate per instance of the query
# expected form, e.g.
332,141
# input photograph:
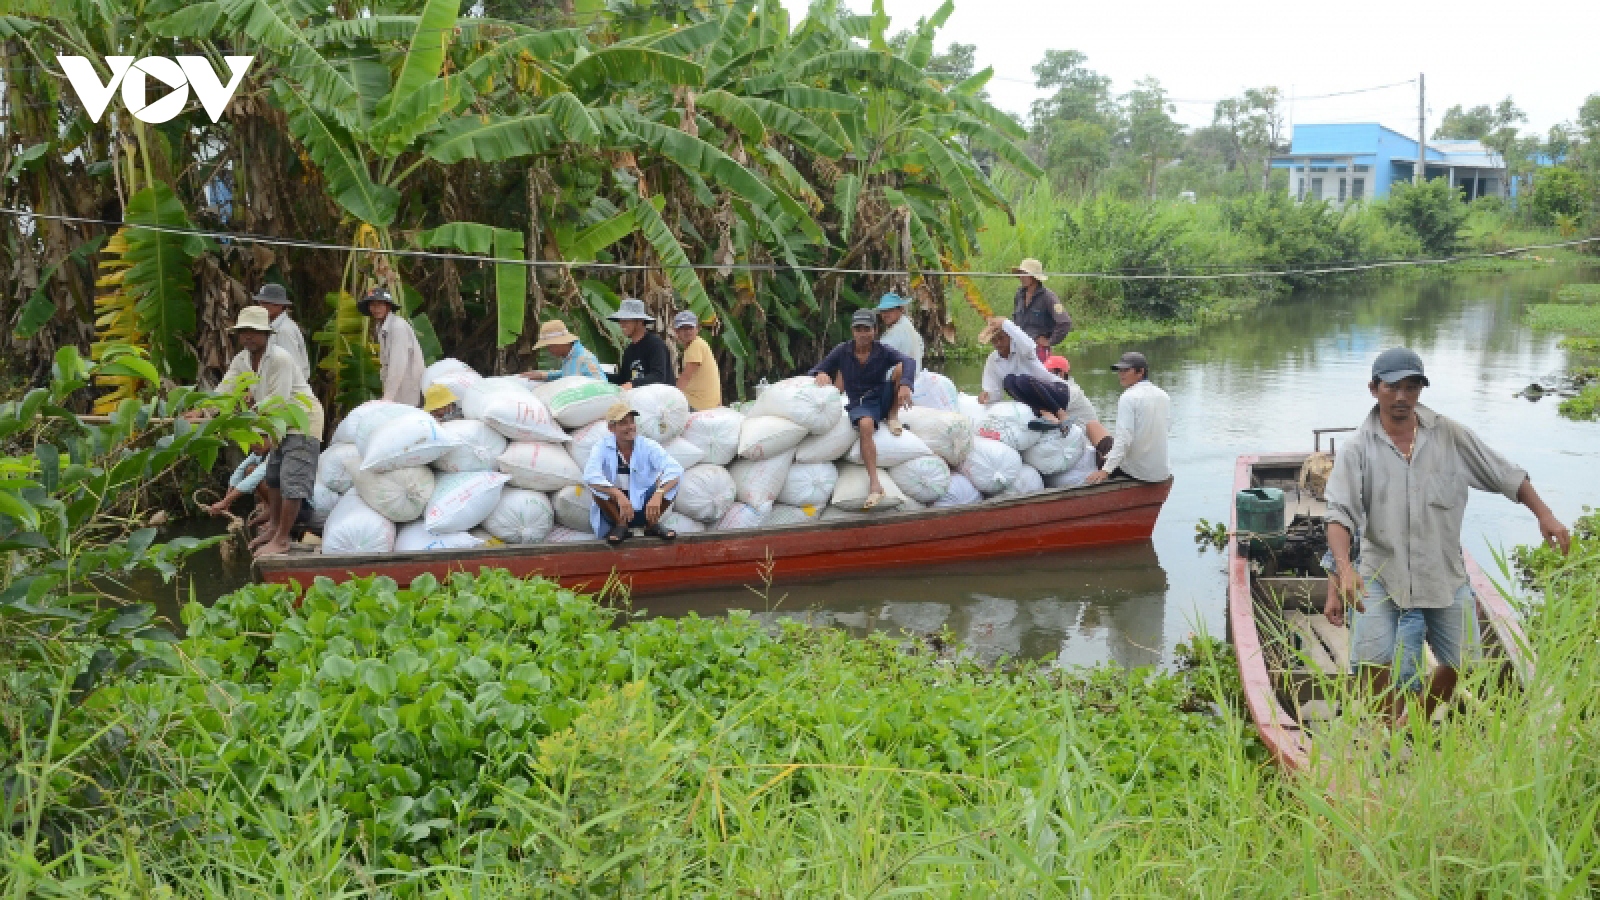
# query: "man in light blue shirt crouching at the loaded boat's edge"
633,480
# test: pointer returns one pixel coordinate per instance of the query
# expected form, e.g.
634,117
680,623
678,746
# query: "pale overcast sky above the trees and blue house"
1473,52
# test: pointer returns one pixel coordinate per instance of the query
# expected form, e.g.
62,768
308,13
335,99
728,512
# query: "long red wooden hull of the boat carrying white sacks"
1114,512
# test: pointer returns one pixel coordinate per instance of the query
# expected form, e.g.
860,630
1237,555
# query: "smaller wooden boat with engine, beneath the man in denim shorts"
1289,653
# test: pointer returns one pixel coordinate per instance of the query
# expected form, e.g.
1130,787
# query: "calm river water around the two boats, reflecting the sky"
1255,385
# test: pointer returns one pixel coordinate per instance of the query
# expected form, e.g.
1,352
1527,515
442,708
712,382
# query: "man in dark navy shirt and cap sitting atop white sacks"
878,384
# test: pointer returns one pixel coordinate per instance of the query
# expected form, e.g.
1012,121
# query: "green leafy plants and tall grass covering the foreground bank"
492,737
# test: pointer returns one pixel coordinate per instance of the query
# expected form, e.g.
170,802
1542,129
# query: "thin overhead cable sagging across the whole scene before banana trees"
302,244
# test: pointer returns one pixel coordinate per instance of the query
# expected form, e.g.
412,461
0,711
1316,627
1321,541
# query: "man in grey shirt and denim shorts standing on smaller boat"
1402,484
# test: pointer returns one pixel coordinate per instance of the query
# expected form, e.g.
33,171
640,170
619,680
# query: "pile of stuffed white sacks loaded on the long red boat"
511,472
